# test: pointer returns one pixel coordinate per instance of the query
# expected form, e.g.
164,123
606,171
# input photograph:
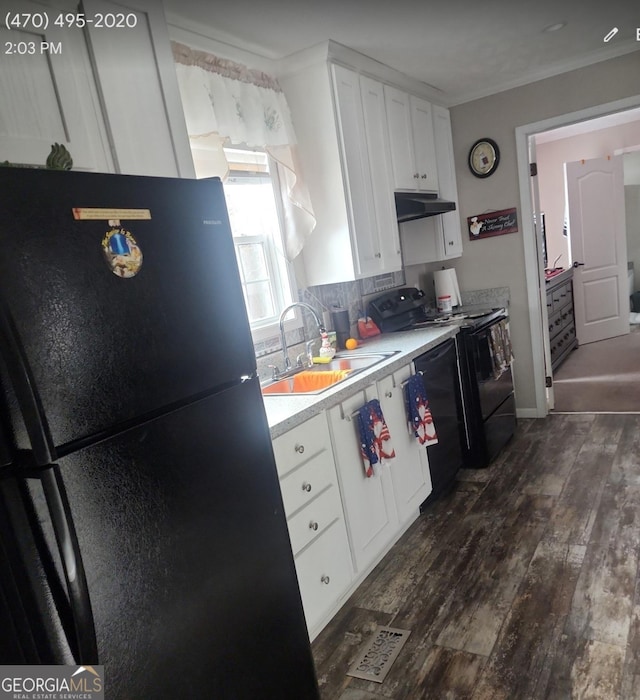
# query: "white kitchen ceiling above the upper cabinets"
464,48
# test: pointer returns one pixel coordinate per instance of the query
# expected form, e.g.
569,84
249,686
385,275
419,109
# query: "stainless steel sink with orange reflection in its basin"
323,376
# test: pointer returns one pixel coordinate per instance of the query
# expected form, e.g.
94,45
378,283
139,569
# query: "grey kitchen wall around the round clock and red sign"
500,260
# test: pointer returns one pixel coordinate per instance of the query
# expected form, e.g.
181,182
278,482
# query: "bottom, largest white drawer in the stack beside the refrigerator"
324,573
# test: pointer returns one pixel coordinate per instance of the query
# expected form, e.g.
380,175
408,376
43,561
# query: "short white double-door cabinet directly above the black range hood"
411,136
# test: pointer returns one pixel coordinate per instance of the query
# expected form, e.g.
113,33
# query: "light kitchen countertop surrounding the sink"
286,412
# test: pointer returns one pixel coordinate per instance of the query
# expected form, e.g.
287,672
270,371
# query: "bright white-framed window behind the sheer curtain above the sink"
252,194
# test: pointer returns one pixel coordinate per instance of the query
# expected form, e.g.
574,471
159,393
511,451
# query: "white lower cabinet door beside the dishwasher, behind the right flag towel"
410,468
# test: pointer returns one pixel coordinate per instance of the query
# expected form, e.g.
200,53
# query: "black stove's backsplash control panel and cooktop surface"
407,308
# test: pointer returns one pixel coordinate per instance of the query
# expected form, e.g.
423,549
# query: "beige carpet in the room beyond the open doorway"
602,376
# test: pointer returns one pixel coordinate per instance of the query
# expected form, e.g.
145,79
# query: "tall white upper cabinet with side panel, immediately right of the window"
343,147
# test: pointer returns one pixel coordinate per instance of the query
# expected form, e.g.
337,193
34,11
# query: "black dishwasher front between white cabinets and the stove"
440,374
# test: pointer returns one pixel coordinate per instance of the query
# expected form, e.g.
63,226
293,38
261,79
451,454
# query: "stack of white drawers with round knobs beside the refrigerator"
315,518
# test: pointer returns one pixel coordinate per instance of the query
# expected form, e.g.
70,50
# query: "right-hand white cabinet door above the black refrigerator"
139,90
